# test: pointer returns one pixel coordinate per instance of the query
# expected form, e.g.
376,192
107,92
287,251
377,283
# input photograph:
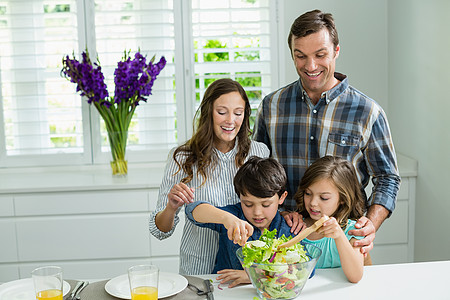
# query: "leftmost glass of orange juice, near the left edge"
48,283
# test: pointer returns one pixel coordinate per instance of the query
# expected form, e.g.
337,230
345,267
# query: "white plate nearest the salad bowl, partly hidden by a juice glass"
169,284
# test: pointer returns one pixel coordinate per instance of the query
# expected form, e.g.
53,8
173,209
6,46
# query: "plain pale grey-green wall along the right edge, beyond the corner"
419,80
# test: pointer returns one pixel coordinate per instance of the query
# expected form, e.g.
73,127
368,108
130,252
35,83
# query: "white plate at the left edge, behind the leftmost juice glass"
23,289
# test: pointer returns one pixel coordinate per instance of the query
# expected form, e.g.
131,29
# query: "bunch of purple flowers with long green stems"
133,80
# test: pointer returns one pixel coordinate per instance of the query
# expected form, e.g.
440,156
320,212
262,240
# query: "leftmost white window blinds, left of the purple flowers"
41,114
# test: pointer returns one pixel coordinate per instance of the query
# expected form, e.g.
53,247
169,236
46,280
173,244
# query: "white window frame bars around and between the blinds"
184,89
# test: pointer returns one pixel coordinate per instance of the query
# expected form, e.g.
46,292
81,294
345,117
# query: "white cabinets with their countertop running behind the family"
96,226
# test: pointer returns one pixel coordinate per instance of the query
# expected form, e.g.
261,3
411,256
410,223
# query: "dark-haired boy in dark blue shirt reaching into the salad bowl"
260,184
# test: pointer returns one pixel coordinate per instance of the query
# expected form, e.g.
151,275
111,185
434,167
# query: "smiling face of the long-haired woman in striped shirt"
228,115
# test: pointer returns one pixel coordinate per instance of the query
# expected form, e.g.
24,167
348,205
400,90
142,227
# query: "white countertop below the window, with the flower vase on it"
89,178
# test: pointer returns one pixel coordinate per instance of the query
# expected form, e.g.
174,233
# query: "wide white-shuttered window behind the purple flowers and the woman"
44,122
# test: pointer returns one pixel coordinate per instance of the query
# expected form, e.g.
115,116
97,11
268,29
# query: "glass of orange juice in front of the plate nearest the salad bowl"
144,282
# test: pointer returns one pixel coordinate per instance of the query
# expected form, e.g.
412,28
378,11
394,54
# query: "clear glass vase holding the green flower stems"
118,144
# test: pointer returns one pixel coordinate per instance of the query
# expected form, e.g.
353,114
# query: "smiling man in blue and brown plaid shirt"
321,114
